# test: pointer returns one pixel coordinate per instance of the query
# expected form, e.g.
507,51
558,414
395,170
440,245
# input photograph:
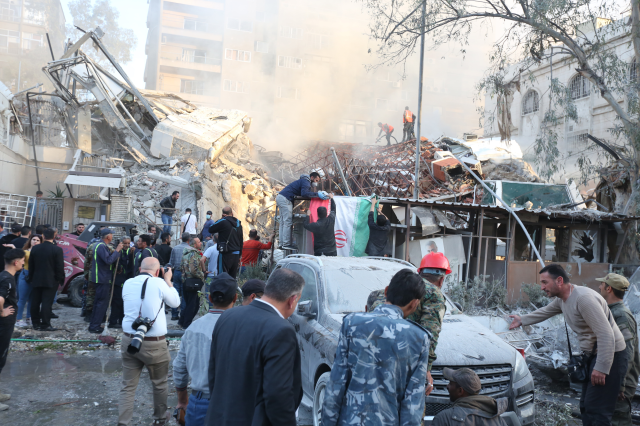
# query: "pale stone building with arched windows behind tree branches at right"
595,115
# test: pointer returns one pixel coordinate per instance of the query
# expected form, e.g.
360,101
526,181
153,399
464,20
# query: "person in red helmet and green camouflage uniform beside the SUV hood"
433,269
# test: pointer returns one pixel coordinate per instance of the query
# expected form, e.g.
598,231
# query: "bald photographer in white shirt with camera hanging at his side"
152,351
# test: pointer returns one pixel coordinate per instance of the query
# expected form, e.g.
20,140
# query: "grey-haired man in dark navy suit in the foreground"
257,384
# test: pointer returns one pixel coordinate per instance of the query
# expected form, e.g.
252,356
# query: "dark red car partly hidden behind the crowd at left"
74,249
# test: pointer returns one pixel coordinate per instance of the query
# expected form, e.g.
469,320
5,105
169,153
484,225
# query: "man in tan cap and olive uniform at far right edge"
613,288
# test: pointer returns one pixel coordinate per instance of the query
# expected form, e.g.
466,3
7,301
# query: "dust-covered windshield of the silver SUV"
348,288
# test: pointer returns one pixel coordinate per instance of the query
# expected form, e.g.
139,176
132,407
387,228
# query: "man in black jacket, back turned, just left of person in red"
229,230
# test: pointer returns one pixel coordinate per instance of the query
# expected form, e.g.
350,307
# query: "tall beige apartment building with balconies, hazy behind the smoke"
298,67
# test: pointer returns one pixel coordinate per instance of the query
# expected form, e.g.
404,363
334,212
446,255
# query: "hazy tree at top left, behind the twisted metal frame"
89,15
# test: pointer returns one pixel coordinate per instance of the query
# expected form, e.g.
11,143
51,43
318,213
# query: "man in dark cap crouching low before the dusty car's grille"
469,408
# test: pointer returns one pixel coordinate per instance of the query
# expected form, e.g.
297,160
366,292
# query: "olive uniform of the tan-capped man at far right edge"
628,327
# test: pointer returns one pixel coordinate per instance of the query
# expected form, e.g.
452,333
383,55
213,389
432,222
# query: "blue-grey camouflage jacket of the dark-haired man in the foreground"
380,371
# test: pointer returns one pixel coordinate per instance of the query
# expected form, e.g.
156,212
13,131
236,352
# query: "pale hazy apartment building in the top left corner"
23,43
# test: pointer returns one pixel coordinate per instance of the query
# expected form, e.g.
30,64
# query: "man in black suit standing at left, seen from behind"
46,274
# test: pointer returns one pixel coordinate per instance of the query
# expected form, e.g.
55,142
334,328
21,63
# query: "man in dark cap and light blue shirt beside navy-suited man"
195,349
